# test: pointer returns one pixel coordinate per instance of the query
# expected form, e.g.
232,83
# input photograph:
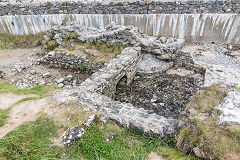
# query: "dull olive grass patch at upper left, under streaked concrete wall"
9,41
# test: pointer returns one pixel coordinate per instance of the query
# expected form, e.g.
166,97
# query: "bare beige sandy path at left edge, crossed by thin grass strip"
29,111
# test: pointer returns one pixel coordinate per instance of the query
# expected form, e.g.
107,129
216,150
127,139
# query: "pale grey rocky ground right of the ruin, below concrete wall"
220,67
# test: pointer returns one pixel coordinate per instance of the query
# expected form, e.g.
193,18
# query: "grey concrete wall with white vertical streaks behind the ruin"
208,28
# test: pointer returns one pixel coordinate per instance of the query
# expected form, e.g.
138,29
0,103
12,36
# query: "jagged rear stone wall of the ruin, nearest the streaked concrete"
163,47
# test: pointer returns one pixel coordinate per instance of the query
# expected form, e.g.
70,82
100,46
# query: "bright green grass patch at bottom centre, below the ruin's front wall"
126,145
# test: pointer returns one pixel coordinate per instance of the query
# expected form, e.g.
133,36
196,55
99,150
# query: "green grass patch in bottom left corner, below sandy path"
31,141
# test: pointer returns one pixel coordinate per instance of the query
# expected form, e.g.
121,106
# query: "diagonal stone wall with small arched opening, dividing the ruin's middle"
104,81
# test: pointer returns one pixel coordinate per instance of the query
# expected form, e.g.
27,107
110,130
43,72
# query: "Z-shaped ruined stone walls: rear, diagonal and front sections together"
97,91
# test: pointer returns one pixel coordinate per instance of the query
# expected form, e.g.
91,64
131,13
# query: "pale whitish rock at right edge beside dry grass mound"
230,108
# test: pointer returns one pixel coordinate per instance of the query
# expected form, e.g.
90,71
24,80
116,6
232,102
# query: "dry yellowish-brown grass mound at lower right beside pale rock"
204,130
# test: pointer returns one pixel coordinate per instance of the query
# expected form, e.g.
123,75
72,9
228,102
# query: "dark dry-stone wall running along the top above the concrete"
120,7
